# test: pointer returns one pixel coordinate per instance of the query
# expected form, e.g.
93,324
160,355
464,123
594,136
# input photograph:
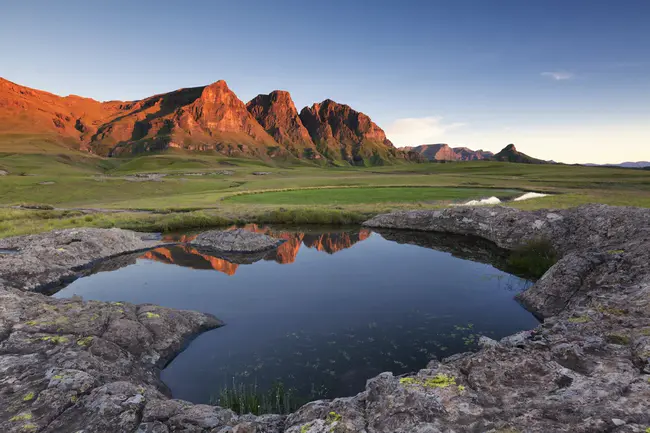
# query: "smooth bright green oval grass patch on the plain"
359,195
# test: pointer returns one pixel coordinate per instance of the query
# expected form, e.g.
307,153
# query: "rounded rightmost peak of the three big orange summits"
341,133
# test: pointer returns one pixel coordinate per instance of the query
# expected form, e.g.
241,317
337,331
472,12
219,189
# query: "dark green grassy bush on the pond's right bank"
533,259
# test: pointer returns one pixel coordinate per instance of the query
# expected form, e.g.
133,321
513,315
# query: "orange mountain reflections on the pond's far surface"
189,256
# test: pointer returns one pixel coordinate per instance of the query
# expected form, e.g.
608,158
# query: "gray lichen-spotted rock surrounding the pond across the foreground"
73,366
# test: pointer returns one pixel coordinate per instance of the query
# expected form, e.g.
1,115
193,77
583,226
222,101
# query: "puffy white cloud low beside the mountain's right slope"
413,131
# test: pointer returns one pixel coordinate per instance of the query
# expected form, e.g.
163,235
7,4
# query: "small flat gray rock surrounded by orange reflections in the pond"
236,241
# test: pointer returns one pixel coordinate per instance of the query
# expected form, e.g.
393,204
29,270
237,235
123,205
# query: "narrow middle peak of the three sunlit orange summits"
277,114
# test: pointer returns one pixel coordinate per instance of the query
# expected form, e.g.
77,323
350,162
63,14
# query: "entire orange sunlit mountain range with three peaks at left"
207,118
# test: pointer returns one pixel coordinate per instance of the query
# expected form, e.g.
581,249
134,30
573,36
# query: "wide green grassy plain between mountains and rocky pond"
92,191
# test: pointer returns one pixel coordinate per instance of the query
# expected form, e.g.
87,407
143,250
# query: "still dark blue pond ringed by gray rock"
325,312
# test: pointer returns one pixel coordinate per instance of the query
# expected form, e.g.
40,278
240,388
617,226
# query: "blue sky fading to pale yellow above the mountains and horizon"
565,80
